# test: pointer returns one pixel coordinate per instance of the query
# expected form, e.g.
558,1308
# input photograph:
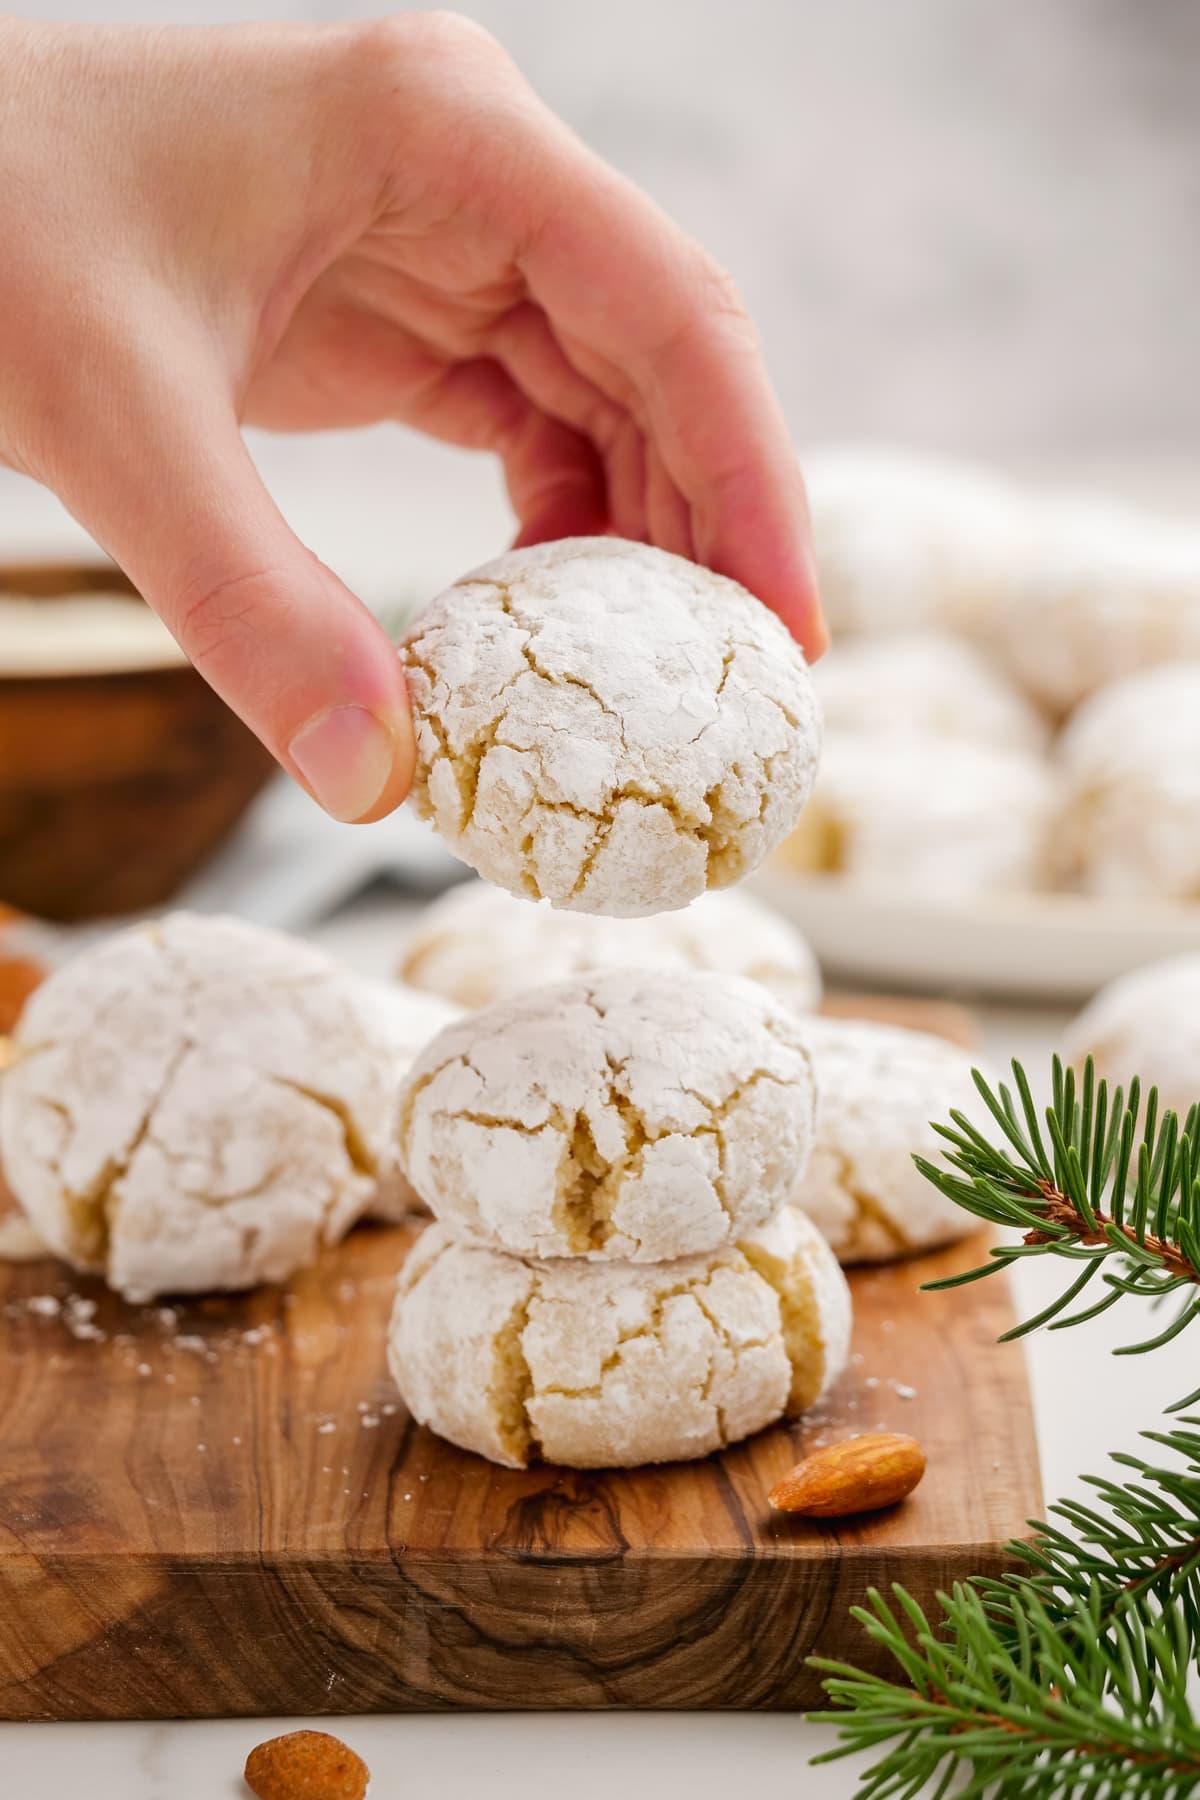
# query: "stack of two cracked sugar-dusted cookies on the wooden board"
614,1275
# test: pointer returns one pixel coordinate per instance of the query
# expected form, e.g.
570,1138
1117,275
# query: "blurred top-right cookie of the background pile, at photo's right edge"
1104,591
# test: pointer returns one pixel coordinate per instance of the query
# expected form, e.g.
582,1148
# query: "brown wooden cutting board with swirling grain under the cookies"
222,1509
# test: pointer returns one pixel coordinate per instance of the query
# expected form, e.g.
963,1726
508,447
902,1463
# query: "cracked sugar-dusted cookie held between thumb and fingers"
607,726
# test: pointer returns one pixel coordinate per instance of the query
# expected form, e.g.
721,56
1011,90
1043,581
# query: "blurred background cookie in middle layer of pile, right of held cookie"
929,685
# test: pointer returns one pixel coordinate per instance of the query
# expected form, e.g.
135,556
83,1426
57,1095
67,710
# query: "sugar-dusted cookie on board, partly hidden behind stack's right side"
879,1090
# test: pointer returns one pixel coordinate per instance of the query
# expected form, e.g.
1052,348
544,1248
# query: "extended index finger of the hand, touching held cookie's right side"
636,294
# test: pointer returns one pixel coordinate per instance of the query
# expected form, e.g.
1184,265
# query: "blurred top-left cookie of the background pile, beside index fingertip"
908,541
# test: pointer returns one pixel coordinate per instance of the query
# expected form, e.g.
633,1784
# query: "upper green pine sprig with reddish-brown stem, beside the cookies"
1098,1178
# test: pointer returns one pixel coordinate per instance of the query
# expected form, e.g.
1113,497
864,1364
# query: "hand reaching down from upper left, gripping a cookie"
323,228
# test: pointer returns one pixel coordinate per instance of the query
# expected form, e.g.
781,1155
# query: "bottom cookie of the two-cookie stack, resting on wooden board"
616,1365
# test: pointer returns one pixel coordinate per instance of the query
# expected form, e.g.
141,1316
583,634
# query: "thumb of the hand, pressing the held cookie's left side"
165,481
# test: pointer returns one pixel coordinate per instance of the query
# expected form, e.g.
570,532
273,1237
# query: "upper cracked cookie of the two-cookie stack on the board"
629,1115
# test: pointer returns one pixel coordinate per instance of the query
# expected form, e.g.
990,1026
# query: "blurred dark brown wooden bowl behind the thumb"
116,786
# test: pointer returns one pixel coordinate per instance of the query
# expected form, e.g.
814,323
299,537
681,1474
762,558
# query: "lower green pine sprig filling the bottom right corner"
1070,1678
